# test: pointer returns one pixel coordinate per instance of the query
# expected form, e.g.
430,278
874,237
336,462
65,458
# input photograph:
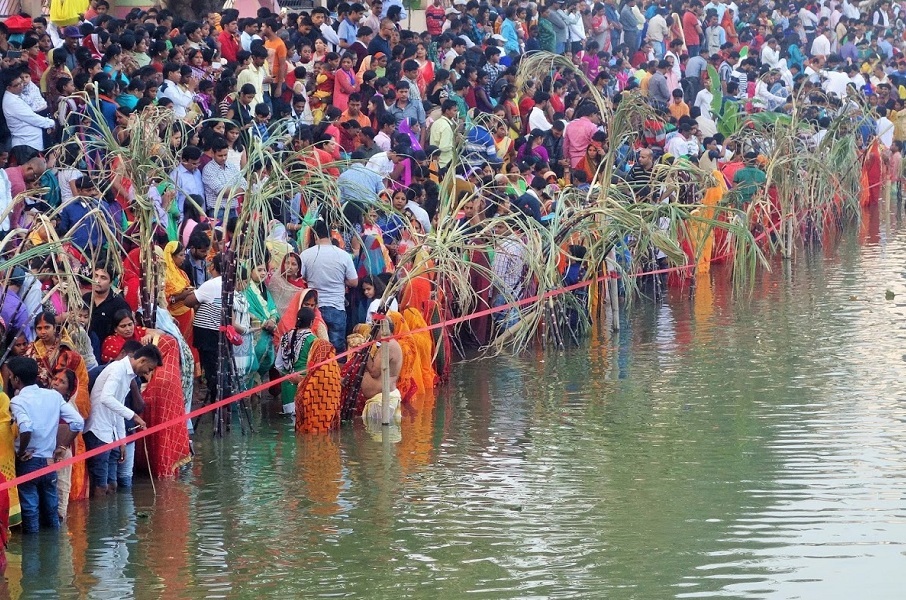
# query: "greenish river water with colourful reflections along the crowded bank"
739,447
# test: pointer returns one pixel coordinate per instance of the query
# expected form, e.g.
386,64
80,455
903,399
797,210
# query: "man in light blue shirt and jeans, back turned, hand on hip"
37,413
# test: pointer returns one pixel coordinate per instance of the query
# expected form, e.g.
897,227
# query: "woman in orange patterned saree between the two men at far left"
55,353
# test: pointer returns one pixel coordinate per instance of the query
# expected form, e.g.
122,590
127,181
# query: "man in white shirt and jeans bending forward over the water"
106,422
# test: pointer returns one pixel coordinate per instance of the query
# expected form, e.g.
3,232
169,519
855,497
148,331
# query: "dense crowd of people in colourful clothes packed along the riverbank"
404,121
